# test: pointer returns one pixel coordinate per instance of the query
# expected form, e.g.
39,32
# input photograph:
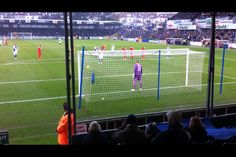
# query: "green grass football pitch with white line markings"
32,91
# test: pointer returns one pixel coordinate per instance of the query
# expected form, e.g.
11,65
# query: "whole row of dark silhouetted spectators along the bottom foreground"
129,133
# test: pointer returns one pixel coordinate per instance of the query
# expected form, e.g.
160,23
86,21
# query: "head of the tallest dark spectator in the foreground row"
174,118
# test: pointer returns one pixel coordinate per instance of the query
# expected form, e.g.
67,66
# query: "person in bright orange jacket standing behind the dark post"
62,128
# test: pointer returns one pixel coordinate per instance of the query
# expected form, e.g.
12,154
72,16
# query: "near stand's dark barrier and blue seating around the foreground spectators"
220,129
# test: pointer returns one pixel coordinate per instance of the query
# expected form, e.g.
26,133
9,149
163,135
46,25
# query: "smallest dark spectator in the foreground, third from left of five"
151,131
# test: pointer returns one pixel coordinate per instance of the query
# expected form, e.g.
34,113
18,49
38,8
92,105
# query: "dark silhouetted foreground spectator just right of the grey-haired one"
129,133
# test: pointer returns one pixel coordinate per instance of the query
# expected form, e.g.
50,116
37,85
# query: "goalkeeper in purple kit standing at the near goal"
137,75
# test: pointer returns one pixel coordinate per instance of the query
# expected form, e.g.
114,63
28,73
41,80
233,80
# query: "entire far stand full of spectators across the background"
146,30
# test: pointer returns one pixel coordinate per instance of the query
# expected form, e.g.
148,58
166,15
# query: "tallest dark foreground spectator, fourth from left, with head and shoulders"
175,134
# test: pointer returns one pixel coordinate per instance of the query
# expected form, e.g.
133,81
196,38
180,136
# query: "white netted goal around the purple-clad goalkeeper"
180,70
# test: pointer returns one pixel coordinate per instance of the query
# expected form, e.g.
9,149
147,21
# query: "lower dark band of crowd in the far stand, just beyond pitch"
160,34
